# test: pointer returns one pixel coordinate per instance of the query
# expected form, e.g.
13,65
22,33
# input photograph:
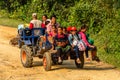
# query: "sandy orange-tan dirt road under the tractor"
12,69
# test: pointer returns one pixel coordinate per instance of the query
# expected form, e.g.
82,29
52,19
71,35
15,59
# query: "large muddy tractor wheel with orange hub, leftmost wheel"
25,55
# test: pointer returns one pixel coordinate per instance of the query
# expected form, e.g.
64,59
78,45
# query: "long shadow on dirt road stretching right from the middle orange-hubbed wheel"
87,66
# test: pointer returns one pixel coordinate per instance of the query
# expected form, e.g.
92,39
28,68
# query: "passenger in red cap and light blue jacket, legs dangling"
74,37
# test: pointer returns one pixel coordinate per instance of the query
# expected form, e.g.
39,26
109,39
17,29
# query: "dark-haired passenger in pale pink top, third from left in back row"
53,22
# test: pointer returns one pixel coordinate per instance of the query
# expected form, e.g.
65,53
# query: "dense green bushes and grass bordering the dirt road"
102,17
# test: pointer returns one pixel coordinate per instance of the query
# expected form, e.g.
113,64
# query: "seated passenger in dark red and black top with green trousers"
62,44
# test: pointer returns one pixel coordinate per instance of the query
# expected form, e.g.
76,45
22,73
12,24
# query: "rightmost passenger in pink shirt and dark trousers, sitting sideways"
89,46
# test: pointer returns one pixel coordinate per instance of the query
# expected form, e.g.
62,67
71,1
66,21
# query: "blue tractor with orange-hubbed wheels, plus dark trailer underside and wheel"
32,45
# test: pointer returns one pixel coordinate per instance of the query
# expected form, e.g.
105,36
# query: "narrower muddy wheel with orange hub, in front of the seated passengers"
47,61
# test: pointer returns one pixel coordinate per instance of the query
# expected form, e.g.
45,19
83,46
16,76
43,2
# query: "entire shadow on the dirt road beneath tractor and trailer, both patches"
72,66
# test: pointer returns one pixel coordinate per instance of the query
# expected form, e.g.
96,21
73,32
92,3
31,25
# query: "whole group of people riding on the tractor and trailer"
63,39
